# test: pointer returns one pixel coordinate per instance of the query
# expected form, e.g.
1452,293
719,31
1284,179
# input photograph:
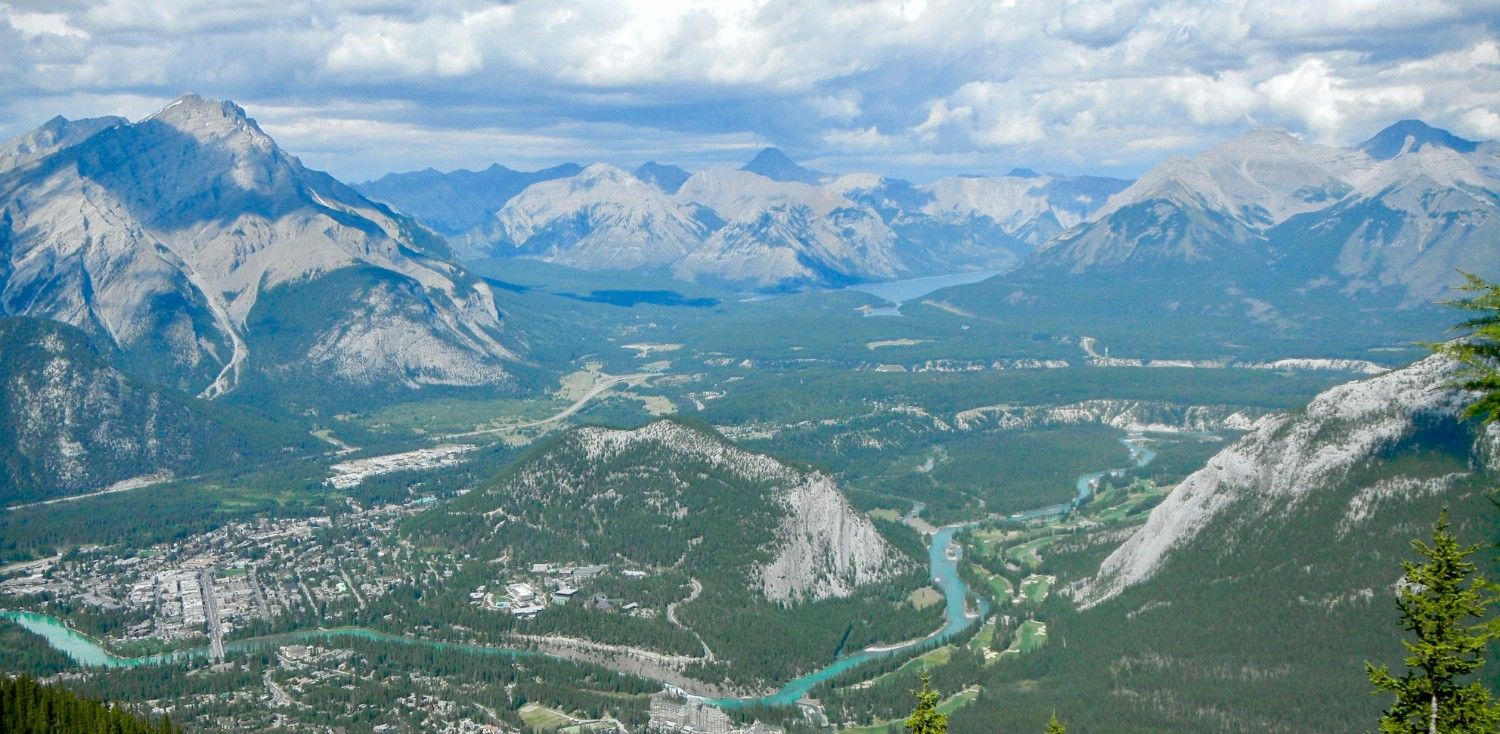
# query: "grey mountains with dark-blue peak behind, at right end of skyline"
1276,229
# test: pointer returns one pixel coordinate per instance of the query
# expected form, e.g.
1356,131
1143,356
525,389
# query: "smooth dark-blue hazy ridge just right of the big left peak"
457,202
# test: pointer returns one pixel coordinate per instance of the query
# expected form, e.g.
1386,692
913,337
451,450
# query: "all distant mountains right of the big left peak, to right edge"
1267,215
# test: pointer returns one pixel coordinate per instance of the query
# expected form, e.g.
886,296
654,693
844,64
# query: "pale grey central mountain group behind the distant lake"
776,226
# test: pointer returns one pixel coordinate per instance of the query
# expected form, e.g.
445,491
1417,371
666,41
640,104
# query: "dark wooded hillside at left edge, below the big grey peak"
71,423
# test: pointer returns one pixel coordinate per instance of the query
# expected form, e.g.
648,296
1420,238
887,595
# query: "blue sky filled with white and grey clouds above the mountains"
916,88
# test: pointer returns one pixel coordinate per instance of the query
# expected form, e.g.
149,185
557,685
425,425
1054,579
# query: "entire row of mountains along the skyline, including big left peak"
209,257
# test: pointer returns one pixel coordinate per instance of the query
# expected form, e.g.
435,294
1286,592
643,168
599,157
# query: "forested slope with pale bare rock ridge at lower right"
1255,592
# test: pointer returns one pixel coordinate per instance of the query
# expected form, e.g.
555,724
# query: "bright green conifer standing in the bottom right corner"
1442,604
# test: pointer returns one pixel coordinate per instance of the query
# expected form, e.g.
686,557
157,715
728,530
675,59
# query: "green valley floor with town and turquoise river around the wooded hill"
938,435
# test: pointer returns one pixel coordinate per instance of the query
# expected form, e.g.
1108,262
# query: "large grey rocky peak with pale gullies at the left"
205,253
